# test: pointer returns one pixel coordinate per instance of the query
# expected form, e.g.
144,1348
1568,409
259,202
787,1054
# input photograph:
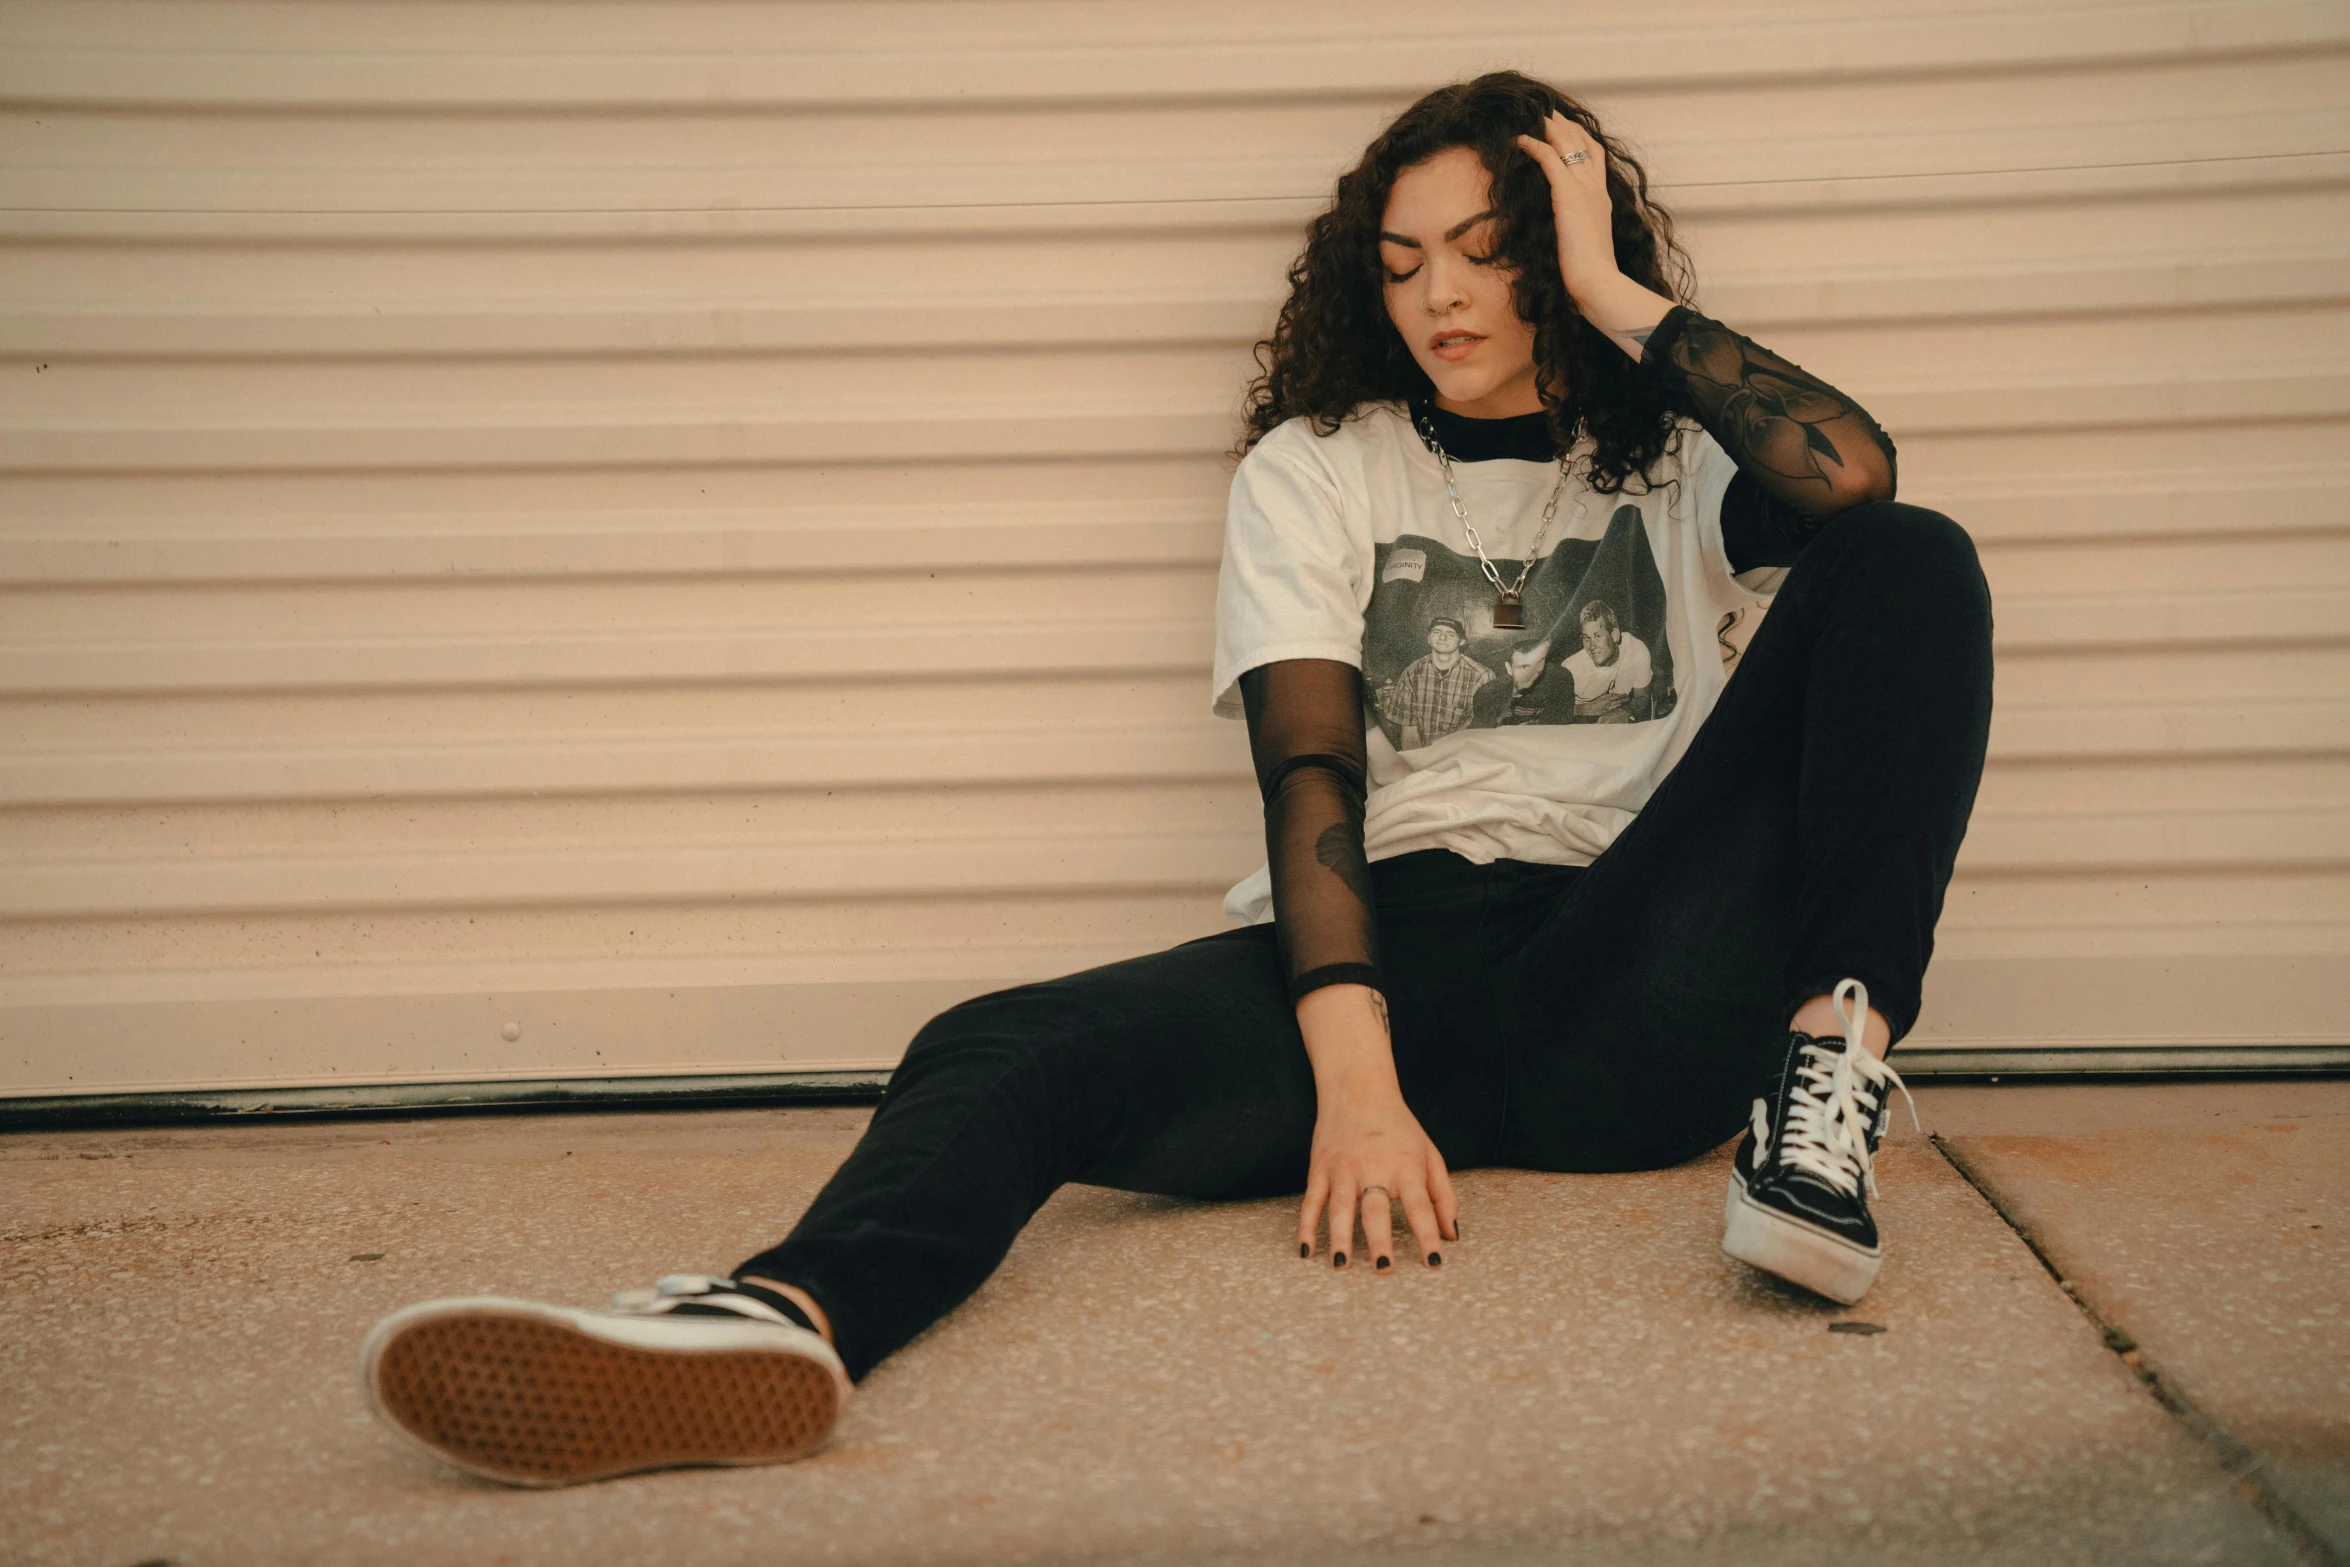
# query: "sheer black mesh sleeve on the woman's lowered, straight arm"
1305,732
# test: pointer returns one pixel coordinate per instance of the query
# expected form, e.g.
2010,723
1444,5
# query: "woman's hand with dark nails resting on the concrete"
1367,1138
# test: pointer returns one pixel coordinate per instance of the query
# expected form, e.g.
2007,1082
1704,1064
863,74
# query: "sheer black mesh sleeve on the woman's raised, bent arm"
1808,448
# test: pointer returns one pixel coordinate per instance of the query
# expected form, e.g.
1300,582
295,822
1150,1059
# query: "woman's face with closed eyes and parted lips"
1444,292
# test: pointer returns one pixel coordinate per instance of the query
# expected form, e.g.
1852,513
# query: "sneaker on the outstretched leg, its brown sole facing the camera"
694,1371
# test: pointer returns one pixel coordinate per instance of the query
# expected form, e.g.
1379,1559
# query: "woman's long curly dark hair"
1334,347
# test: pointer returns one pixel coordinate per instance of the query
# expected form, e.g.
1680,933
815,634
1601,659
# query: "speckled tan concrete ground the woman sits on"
1167,1383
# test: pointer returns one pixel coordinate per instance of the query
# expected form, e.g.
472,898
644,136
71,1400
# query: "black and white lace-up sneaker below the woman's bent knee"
1806,1171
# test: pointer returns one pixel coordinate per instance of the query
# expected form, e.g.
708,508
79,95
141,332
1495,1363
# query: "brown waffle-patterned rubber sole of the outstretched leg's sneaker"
535,1401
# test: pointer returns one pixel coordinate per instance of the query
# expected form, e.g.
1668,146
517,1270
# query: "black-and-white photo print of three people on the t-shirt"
1594,647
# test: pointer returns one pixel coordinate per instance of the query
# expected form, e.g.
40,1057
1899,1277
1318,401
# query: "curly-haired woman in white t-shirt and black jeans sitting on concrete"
1562,873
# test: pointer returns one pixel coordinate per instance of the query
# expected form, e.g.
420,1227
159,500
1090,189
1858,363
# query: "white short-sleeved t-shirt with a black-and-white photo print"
1496,744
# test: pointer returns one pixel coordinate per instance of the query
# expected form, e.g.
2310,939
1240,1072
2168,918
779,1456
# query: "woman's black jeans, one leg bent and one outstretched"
1602,1018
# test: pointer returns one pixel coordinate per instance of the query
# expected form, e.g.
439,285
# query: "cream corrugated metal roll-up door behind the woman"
676,539
